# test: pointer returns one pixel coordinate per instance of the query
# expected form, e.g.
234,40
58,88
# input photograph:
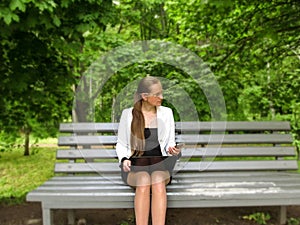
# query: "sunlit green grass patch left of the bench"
20,174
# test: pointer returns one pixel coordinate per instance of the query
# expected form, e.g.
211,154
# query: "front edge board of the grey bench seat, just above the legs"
90,201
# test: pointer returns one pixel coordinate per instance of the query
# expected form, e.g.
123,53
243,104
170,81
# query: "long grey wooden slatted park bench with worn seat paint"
223,164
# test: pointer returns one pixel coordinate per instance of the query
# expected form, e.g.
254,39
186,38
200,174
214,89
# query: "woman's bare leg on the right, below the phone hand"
159,196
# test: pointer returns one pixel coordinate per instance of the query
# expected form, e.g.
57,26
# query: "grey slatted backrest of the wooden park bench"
208,146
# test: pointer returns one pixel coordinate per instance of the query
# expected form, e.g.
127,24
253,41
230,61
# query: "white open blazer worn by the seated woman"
165,128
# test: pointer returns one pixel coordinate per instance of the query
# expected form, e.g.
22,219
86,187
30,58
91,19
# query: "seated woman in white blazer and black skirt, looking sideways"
147,133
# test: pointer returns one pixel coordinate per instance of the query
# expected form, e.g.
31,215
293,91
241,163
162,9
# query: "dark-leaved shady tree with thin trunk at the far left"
41,47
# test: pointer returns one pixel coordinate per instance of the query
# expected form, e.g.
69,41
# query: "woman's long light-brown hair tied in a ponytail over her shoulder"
137,139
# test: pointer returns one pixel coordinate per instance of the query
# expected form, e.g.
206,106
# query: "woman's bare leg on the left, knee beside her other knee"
142,183
